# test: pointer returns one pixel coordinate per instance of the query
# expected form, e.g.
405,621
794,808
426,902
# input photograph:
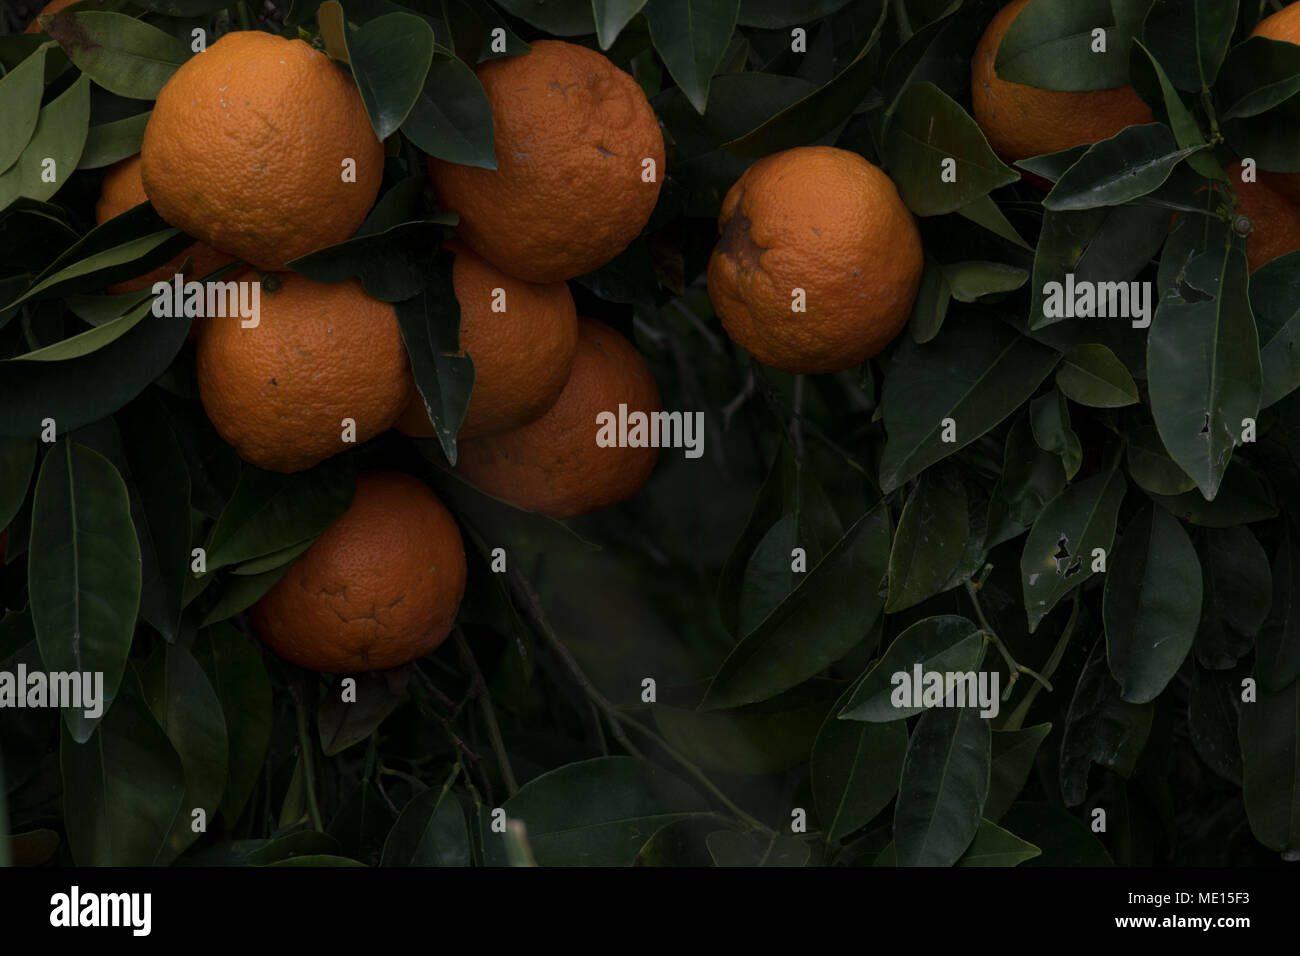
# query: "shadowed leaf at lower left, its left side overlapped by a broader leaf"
189,712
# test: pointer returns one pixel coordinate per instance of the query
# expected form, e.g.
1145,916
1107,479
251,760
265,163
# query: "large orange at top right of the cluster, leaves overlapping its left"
570,192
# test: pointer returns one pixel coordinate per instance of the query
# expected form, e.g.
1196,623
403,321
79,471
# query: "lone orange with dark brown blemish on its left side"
825,222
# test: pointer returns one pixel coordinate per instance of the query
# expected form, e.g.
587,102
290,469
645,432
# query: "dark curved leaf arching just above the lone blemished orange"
824,110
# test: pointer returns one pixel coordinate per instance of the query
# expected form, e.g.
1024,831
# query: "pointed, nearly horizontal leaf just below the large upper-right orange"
1129,166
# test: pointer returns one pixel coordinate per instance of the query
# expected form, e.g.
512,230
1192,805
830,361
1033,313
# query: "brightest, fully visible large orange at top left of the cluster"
252,146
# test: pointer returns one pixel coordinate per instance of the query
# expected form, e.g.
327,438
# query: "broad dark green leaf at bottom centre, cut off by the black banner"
595,812
